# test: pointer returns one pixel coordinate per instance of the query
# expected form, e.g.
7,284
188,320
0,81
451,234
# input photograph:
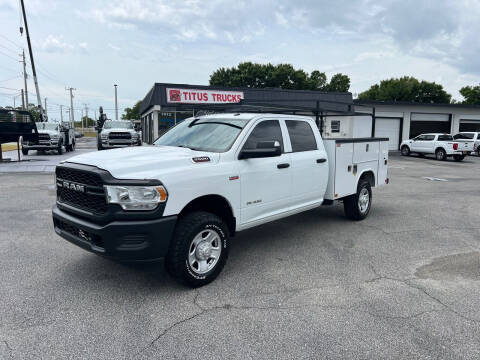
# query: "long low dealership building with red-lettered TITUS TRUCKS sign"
337,114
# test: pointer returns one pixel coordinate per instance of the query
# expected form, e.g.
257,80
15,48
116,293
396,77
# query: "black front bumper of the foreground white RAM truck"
129,240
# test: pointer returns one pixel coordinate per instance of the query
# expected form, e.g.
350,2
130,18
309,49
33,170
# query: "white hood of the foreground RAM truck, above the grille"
144,162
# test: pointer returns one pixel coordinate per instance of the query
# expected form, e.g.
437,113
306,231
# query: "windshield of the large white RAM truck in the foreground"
214,134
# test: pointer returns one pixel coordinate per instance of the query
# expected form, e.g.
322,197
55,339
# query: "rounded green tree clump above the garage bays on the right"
407,89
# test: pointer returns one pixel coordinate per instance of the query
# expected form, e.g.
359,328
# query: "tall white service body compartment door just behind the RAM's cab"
344,178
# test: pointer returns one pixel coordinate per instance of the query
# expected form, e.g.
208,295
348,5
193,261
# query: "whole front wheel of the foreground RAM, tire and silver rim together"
199,249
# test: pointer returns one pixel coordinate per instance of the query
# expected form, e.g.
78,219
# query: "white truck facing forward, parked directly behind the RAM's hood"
117,133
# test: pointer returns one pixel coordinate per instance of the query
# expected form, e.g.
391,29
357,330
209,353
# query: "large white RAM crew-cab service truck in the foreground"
205,179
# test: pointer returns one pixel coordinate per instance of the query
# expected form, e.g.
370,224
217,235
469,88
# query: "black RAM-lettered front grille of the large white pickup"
87,192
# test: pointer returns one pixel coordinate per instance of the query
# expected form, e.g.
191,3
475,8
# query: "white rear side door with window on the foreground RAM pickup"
309,163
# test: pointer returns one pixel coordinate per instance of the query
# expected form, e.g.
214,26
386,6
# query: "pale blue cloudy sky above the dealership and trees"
91,45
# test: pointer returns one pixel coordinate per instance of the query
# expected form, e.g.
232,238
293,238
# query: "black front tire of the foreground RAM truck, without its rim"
177,260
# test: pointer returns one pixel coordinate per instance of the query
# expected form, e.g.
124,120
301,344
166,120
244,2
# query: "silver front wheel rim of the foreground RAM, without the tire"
204,251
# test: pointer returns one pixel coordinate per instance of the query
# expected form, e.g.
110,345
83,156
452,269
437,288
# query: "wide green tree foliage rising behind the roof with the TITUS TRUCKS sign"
283,76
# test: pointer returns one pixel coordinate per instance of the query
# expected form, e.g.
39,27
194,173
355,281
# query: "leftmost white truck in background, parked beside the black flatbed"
52,136
